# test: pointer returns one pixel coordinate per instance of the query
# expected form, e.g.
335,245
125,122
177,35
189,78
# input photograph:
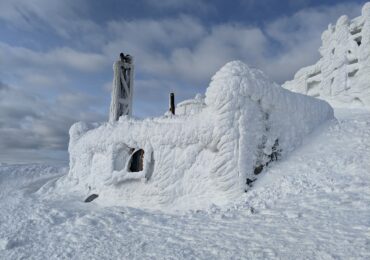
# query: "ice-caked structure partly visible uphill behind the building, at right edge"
342,75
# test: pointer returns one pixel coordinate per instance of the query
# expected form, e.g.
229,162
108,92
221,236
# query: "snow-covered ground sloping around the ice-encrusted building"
314,204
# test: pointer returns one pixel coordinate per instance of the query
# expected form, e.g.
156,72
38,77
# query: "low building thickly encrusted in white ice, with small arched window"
201,156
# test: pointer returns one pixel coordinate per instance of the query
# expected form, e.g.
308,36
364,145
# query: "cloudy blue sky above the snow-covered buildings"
56,57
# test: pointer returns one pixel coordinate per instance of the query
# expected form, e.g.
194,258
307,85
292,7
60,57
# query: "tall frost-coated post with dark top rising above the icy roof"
122,90
